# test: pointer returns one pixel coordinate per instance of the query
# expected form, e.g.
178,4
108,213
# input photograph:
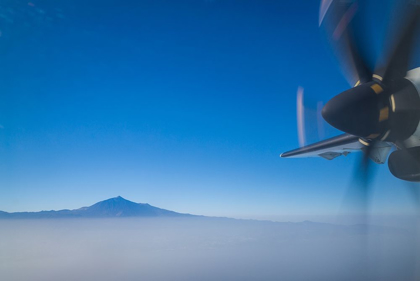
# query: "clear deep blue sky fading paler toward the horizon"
185,105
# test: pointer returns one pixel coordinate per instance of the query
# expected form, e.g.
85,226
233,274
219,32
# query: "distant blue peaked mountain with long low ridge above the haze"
113,207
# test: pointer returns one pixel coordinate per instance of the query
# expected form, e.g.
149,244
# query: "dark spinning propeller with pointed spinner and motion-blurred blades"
382,106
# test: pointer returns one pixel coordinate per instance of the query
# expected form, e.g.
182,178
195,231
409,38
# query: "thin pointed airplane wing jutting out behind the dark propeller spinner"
337,146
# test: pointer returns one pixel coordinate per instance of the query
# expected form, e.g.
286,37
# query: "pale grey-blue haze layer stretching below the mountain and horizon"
201,249
